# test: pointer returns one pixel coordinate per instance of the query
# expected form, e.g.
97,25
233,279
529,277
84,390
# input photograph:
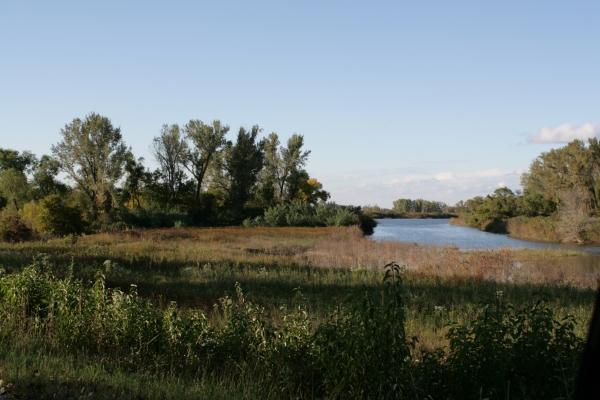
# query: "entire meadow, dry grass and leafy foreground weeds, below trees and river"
259,315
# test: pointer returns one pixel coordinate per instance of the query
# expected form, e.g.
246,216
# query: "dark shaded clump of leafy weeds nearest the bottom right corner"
529,348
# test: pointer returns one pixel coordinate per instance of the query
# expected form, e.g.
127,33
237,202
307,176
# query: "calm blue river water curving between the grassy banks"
439,232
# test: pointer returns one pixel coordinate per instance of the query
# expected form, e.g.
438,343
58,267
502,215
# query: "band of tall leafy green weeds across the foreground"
358,350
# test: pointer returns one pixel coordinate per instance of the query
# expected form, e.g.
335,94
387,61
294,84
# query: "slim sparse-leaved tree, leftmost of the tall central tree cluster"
169,150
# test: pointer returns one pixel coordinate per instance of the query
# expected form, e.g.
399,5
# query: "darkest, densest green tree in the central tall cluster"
242,162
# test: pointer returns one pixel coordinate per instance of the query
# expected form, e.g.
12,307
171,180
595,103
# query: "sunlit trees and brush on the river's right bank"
559,201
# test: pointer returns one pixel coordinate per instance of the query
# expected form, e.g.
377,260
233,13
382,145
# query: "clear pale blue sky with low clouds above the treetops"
439,100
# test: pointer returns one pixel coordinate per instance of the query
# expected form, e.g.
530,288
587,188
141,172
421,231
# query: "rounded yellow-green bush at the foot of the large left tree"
56,217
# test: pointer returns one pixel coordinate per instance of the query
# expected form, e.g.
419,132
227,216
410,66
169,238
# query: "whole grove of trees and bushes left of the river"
203,179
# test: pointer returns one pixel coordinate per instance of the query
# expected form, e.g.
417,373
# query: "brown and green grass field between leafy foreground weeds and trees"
197,266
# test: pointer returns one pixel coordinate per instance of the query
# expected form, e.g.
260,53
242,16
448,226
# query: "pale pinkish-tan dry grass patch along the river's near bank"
545,267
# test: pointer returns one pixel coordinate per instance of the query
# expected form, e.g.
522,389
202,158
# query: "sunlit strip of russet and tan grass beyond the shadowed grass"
321,247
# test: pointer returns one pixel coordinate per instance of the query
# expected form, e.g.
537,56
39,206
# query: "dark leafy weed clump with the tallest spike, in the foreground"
363,349
